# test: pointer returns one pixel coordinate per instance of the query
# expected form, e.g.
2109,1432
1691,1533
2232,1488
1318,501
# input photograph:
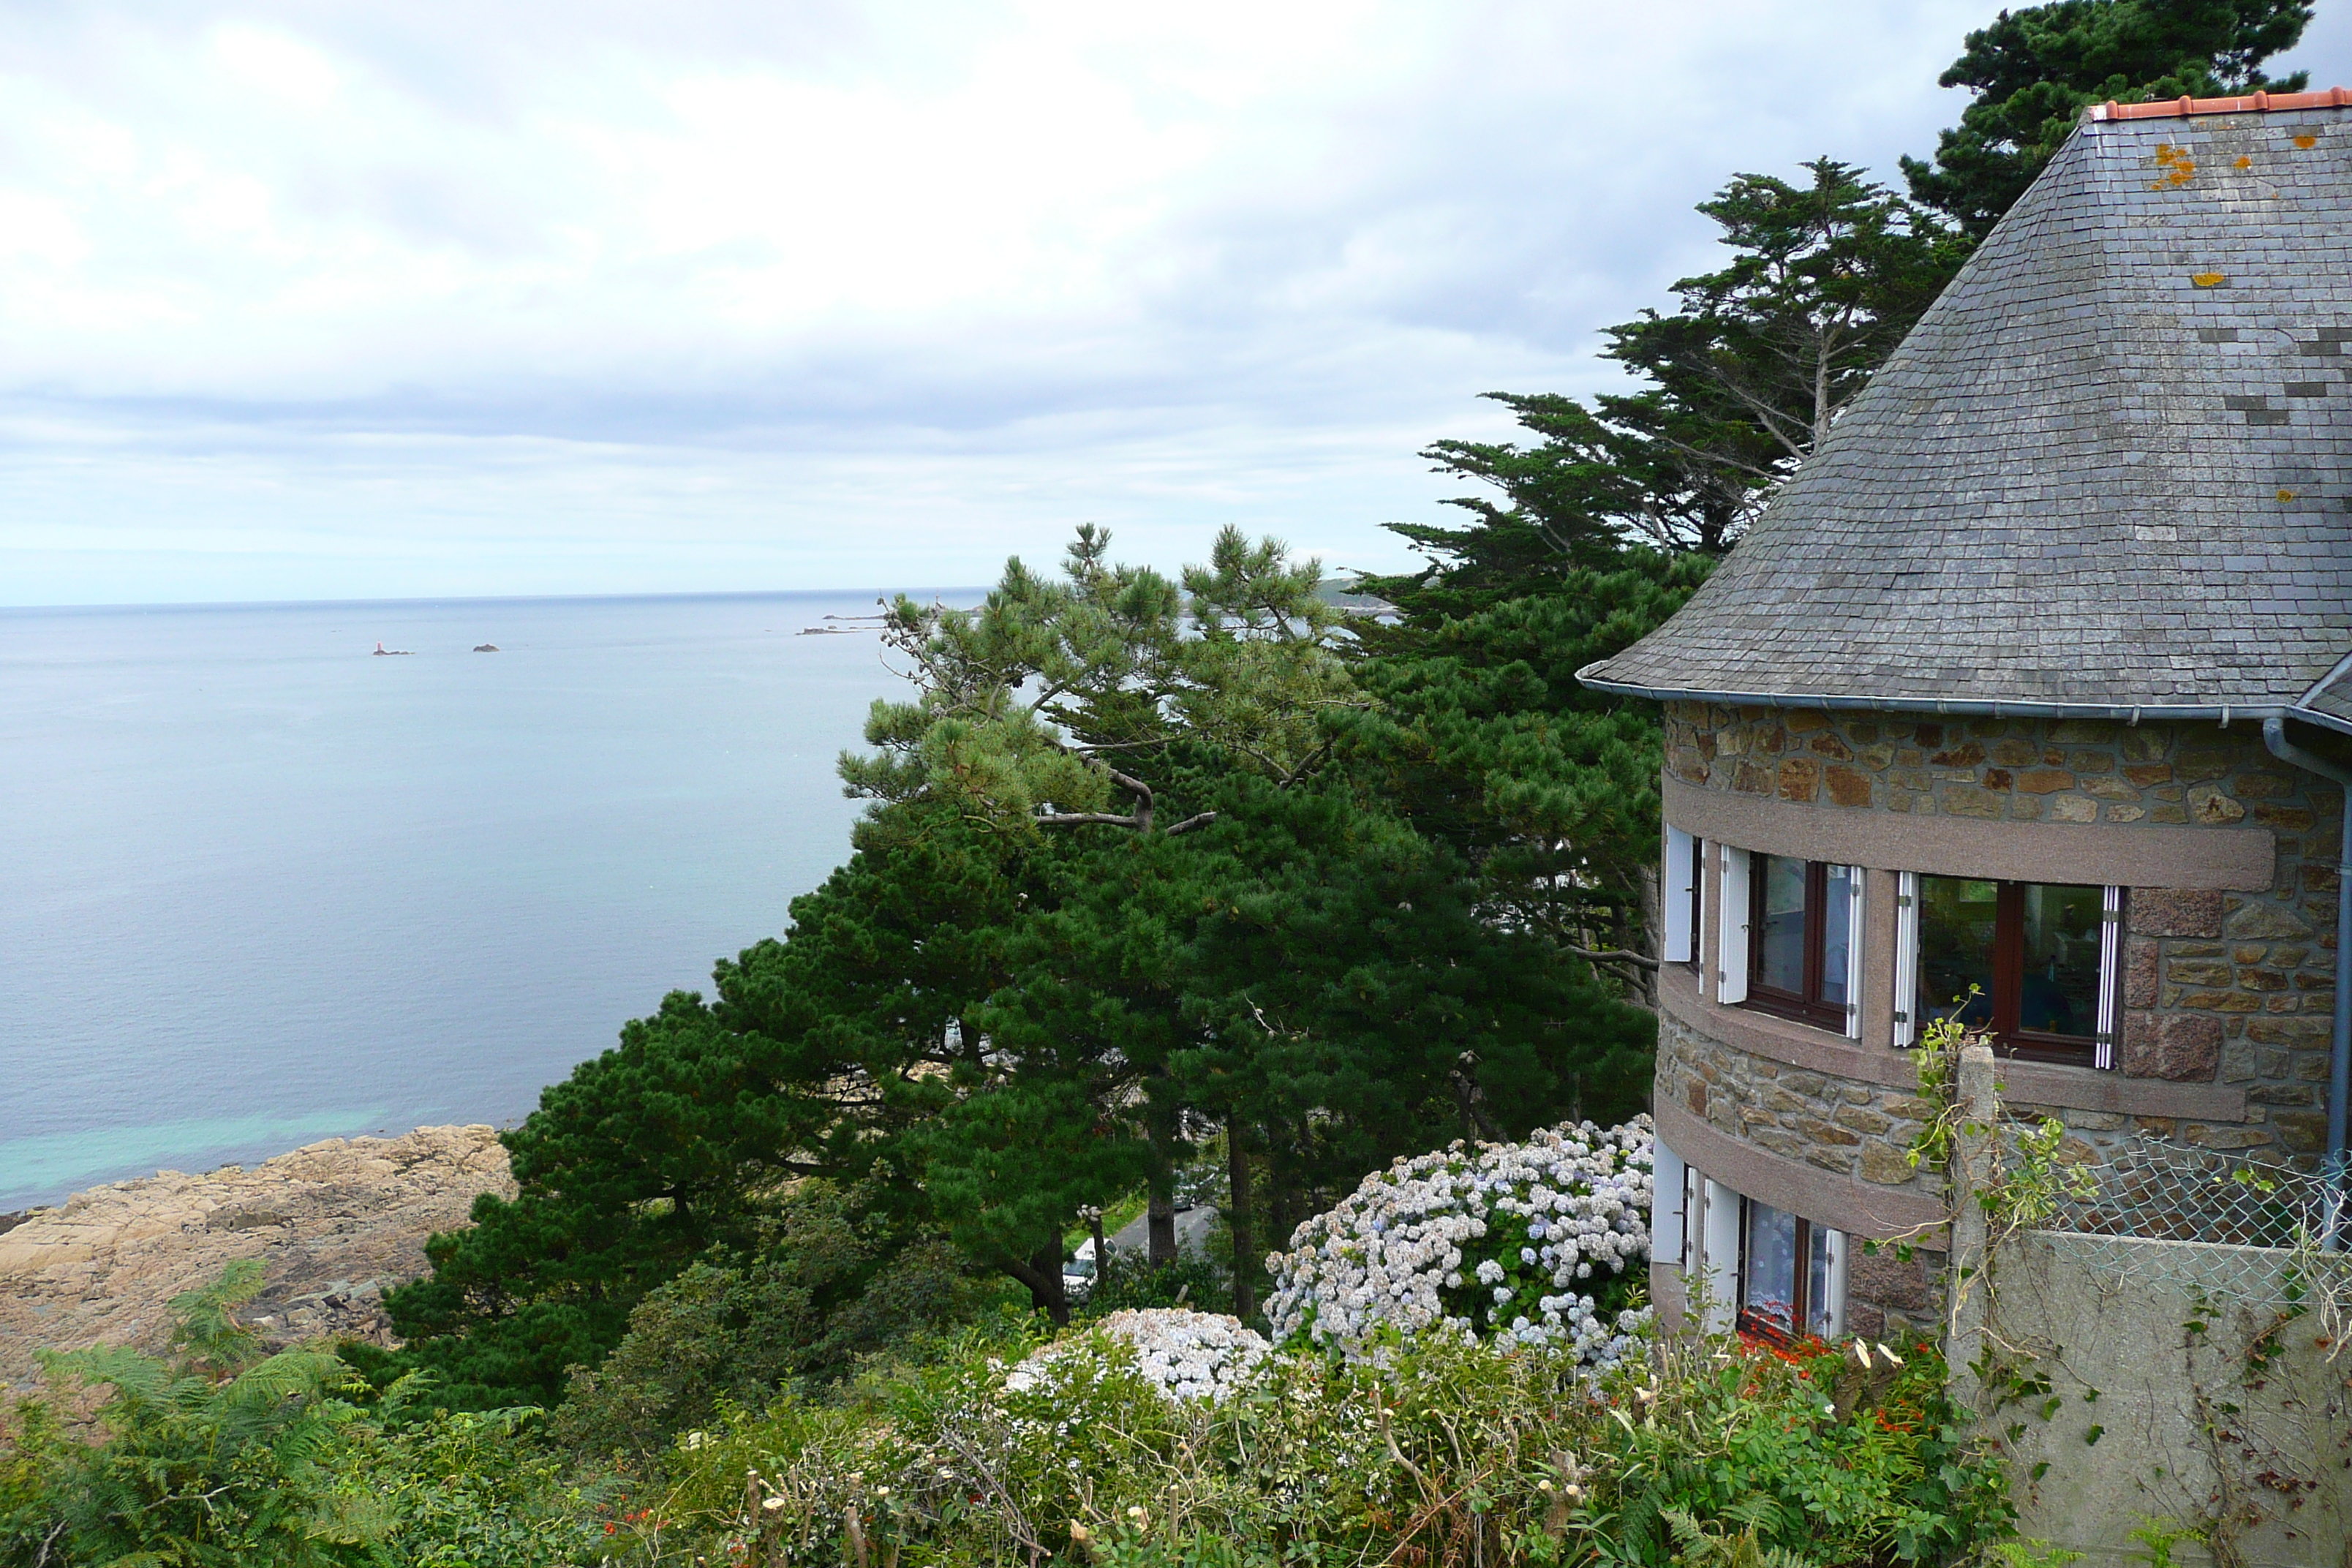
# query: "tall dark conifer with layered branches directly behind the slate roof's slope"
1603,528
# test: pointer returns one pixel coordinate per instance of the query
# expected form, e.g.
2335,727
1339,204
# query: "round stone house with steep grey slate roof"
2029,683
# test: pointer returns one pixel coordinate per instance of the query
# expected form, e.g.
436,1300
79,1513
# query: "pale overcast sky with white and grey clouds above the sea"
323,302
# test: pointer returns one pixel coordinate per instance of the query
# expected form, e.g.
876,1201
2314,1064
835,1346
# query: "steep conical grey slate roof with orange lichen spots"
2111,469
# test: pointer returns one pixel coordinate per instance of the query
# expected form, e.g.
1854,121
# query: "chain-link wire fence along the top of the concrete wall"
2247,1231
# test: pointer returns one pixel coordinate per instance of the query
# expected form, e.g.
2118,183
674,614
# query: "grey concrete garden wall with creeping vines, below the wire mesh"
2189,1426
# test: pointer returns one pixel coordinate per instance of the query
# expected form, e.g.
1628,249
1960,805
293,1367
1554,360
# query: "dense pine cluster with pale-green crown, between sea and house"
1005,1010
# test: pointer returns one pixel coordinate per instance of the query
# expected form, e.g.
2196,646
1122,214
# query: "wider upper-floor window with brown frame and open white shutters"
2040,958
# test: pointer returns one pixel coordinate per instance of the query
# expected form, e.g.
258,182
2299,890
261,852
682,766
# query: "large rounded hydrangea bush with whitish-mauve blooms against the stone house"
1532,1242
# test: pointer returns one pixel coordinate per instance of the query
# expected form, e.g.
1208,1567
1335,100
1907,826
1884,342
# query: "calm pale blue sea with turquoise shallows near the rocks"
260,887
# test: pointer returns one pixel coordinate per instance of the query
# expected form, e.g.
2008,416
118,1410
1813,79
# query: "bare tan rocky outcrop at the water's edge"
335,1226
